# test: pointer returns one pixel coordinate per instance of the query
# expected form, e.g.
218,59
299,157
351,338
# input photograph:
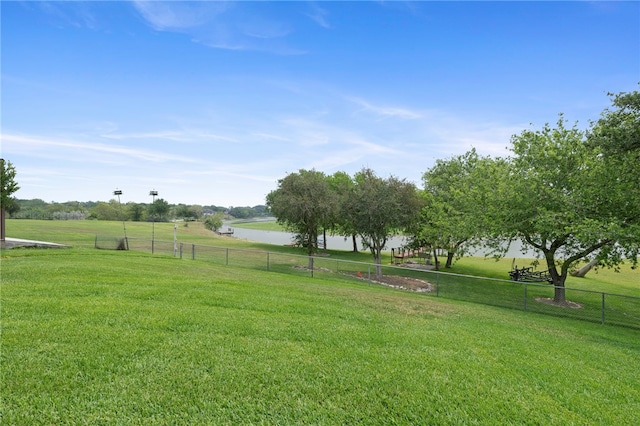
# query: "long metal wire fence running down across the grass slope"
593,306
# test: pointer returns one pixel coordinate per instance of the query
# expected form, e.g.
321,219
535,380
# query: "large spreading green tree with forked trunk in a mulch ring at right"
560,197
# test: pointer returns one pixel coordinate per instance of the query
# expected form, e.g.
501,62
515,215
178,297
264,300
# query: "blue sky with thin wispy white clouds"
213,102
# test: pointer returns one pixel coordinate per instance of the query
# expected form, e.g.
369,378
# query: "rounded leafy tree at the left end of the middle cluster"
304,204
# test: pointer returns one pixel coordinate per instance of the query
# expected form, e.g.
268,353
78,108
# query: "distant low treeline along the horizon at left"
159,210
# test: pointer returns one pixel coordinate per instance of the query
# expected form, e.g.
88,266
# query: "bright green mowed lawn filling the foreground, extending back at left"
113,337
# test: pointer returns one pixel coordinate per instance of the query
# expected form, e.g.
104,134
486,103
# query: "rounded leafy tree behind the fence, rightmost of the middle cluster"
381,208
